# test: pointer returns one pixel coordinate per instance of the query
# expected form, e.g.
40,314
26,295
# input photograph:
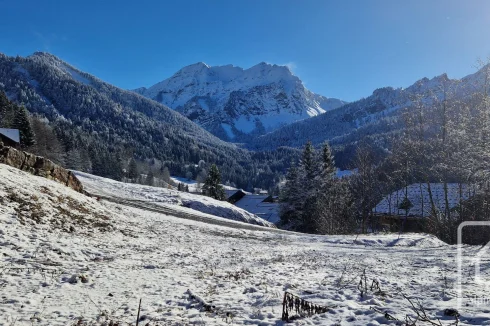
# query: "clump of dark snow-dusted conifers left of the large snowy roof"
312,199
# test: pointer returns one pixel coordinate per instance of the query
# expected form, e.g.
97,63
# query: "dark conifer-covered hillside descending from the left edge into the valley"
101,127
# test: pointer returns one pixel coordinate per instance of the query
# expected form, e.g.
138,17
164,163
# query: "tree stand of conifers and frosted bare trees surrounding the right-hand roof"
444,141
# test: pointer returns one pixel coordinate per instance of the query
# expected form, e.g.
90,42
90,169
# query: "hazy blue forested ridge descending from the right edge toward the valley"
377,115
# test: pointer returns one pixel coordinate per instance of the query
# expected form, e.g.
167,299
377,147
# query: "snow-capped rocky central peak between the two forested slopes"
232,102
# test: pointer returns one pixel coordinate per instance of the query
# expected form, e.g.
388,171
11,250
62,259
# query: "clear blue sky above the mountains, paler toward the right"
342,49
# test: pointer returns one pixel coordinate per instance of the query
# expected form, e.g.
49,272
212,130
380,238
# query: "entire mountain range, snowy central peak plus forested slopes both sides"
265,108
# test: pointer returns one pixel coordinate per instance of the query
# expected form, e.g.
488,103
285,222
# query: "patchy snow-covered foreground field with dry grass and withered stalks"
51,274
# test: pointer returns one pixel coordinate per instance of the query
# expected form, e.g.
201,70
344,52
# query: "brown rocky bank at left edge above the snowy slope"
39,166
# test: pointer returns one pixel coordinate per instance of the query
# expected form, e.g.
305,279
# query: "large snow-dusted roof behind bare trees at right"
418,195
